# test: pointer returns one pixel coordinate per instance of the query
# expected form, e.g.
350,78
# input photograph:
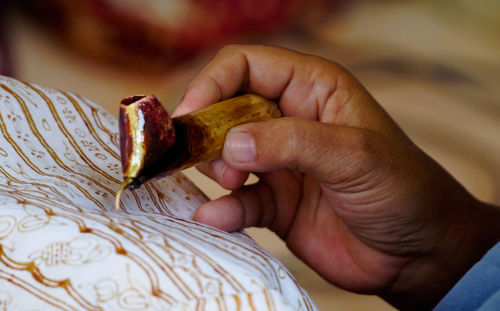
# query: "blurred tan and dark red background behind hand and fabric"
433,64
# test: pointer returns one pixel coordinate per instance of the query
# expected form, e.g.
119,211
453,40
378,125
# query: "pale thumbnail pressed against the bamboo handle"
239,146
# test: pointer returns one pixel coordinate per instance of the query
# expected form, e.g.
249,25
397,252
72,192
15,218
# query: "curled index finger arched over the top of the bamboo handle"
306,87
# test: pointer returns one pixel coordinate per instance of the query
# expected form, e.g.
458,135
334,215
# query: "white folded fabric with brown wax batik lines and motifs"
63,247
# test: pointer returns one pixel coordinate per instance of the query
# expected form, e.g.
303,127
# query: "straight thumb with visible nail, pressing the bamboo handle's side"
326,151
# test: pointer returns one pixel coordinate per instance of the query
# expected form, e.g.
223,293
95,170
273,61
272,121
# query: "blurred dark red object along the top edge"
162,31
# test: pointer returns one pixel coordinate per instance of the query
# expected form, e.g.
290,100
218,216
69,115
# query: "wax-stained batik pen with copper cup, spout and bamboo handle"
153,145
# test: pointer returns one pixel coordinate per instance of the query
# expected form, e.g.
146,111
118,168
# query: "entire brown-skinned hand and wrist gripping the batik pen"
339,181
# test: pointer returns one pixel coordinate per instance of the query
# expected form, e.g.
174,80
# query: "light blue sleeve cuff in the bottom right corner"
479,288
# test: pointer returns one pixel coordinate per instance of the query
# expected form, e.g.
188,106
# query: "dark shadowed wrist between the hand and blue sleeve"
471,231
